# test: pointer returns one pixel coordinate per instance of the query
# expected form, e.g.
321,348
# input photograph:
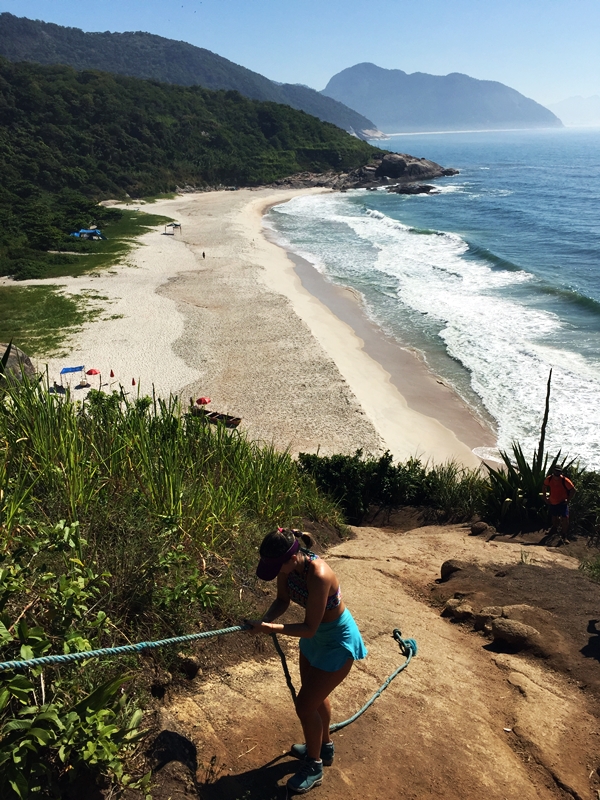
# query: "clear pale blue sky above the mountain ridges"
547,49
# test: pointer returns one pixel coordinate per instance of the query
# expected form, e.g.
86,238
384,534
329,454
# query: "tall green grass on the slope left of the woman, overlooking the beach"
163,499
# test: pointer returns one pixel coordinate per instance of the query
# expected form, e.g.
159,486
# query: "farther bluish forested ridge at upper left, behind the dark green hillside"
144,55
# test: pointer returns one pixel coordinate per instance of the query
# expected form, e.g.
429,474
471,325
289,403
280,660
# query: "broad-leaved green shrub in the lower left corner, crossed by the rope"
52,727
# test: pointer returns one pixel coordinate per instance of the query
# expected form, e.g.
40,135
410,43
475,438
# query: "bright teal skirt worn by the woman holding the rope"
334,643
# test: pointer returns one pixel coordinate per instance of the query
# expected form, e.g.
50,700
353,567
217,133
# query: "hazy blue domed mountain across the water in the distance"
401,102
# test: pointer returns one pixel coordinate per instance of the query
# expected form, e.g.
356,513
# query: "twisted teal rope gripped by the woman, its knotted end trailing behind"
407,646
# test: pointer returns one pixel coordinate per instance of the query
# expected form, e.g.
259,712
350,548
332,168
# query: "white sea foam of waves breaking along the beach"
431,279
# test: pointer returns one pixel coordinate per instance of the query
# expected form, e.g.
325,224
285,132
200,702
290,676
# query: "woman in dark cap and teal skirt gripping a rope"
330,642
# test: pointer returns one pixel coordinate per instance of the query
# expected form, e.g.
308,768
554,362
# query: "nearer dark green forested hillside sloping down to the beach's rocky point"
69,139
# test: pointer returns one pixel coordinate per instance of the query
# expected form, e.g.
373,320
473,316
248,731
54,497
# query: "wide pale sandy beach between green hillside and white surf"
220,310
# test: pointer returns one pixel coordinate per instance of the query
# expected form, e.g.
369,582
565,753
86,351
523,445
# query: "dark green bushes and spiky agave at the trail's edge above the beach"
510,498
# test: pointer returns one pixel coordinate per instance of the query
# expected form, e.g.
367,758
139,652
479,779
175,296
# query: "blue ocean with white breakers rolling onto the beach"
494,281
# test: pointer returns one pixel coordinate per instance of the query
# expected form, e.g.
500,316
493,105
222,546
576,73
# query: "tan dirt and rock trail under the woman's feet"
461,722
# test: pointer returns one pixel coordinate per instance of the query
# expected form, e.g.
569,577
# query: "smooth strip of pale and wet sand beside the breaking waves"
415,413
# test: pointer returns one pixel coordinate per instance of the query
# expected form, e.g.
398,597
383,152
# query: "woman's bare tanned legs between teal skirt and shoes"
313,707
